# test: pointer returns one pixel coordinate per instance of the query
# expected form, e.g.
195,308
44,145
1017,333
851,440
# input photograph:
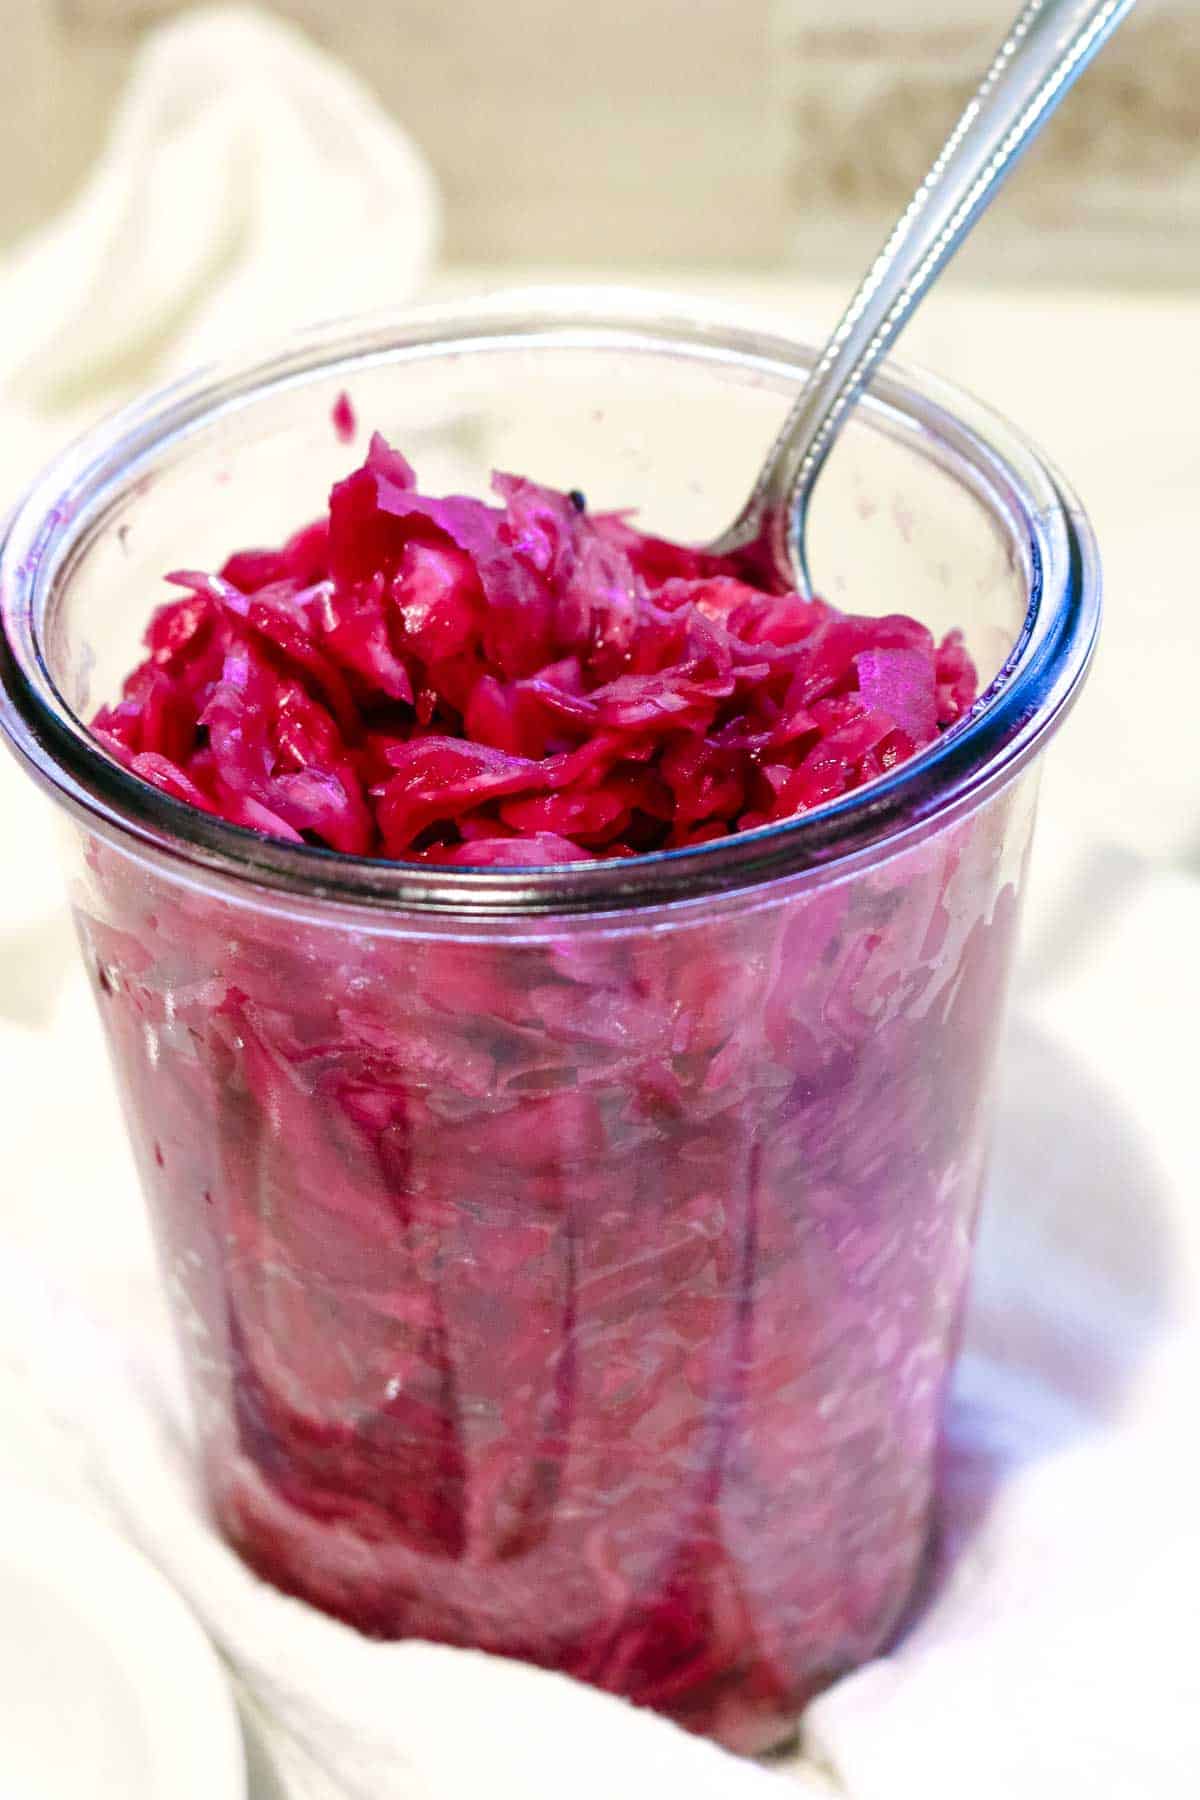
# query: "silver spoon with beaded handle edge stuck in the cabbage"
1048,48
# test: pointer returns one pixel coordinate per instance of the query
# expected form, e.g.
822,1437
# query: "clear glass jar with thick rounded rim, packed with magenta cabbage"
568,1263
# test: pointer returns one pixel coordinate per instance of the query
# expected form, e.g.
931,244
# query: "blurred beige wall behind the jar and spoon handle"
668,134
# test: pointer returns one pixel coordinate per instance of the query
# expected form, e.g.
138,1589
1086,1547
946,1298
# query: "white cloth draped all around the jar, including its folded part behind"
251,184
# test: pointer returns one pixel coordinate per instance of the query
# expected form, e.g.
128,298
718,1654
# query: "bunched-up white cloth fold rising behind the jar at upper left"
249,184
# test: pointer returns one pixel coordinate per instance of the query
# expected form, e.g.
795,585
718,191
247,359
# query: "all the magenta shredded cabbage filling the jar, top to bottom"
582,1290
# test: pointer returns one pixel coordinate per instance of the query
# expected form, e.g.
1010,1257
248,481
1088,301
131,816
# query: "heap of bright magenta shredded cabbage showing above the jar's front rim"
461,683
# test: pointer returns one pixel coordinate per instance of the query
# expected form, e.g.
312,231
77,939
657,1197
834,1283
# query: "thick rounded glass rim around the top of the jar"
1012,719
